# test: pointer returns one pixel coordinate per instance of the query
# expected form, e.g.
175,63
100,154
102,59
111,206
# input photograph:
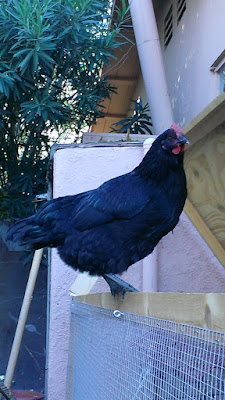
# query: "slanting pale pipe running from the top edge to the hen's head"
151,60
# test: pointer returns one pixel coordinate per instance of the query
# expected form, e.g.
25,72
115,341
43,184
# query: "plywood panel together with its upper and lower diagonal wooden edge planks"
205,169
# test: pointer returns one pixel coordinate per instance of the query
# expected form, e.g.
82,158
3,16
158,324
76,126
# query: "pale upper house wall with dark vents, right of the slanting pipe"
197,41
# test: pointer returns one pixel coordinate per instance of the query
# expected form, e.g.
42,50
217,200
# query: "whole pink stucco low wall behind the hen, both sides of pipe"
185,263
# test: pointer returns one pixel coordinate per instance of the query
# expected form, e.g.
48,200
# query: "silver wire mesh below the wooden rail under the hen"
126,356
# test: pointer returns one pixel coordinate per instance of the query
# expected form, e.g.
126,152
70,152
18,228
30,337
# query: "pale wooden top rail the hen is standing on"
198,309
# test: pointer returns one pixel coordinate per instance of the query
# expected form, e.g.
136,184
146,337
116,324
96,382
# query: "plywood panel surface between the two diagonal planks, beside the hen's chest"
205,168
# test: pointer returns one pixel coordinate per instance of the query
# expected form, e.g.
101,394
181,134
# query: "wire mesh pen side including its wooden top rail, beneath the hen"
171,346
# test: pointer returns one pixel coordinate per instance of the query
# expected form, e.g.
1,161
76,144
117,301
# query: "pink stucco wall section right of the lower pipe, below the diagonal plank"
186,263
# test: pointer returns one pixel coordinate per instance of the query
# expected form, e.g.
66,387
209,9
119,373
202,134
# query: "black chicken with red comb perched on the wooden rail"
104,231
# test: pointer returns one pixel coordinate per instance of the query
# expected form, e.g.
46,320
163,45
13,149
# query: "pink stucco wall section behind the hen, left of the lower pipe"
76,170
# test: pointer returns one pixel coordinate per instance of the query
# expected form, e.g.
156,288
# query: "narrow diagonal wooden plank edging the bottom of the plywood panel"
204,231
